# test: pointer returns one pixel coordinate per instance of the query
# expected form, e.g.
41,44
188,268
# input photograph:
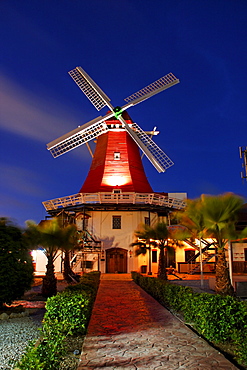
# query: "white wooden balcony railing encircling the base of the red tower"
112,198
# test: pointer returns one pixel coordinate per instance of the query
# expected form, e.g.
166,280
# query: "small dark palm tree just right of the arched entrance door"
158,237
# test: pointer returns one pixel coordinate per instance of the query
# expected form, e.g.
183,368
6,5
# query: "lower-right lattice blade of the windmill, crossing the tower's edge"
163,162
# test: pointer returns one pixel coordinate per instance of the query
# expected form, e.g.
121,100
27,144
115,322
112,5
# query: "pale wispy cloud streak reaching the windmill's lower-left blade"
31,115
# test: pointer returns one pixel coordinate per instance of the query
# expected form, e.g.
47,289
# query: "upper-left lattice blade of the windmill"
92,91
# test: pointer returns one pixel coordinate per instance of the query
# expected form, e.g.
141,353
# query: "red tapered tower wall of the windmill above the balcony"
129,168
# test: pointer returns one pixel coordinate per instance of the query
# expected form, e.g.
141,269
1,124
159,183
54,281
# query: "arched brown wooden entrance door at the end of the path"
116,260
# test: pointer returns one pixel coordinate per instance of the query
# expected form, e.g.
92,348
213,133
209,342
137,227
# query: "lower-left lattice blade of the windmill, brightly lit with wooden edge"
79,136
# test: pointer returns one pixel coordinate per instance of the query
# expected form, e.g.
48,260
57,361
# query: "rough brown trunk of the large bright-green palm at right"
223,284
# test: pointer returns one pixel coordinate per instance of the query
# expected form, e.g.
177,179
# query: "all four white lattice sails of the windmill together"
98,126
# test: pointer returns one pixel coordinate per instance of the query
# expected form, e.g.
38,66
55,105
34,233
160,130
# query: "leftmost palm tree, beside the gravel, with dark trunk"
52,237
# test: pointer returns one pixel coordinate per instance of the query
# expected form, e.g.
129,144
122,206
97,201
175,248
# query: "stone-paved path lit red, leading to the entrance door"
130,330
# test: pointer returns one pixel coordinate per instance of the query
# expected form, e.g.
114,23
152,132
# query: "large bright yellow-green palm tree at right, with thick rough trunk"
213,217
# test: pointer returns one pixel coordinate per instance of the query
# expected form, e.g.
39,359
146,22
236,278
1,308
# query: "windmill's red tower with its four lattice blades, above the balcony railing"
116,161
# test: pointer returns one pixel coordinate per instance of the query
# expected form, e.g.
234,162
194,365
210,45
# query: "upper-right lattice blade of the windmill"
154,88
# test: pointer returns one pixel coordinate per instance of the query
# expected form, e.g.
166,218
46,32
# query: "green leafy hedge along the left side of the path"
67,313
